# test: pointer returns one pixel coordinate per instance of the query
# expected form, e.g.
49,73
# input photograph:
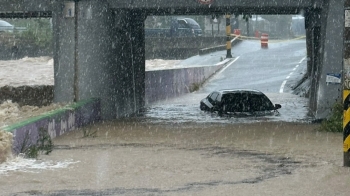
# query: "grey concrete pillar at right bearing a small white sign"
331,53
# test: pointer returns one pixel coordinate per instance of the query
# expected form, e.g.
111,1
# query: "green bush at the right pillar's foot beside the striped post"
335,122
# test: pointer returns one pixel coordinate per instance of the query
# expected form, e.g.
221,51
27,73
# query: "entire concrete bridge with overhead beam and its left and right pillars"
99,45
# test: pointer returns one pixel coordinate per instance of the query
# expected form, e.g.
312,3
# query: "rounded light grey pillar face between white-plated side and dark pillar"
96,69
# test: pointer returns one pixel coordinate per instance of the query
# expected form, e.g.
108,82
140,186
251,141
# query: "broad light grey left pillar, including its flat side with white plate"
85,54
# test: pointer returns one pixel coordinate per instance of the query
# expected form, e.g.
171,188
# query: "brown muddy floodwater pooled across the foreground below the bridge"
129,157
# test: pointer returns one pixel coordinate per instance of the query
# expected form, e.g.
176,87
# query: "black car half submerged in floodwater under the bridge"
239,102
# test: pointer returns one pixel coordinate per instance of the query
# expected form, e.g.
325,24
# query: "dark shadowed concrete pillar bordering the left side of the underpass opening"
130,57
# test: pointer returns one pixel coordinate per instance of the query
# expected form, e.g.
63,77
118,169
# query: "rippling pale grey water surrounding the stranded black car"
186,109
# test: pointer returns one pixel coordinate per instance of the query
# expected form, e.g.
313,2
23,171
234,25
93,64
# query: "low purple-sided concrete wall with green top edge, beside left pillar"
56,122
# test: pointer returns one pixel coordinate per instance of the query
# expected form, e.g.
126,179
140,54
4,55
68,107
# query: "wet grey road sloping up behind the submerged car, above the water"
262,69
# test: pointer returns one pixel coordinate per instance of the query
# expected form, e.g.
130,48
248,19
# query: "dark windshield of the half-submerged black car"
246,102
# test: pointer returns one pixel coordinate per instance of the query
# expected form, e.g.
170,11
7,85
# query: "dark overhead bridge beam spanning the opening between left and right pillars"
228,6
